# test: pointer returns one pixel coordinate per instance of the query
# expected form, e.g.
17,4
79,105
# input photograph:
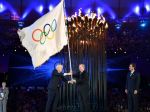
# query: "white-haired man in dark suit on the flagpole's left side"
53,88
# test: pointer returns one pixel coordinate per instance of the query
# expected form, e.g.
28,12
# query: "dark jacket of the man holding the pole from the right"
82,80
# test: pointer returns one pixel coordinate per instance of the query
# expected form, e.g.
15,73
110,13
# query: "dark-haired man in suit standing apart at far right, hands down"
132,88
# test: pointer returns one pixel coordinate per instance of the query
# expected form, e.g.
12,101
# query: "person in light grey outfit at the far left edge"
4,91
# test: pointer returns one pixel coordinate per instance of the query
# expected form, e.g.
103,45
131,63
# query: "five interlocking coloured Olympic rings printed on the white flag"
40,35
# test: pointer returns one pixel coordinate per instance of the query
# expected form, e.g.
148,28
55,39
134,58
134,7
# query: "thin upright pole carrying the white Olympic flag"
69,54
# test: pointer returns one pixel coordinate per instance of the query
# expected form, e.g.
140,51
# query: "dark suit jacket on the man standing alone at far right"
133,81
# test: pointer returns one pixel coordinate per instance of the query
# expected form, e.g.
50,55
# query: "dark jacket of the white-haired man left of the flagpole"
56,80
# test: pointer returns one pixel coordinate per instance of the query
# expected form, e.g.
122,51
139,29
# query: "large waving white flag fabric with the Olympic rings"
45,37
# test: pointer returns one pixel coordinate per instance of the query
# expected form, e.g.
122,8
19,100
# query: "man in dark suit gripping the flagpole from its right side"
82,83
